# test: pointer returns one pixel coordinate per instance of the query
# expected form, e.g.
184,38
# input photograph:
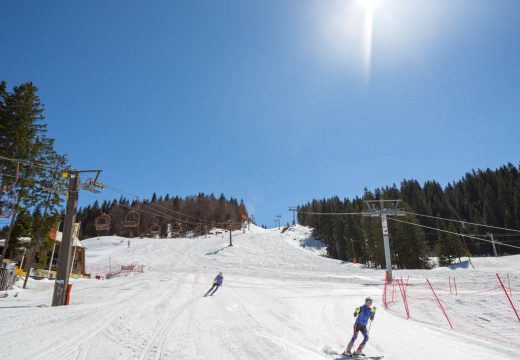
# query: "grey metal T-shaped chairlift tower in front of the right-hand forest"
380,208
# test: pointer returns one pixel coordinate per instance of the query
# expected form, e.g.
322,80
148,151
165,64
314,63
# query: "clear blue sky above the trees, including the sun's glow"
275,101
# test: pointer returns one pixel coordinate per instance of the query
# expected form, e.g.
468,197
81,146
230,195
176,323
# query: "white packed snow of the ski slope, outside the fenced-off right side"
280,300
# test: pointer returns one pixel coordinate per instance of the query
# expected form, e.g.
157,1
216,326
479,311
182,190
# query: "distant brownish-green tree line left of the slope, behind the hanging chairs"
168,216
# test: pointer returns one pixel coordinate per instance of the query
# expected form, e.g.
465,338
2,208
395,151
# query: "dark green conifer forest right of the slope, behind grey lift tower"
490,197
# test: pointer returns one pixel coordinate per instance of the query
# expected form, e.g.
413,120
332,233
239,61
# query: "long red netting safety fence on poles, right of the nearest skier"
484,305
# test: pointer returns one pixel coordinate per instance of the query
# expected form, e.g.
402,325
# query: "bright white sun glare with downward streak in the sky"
354,37
